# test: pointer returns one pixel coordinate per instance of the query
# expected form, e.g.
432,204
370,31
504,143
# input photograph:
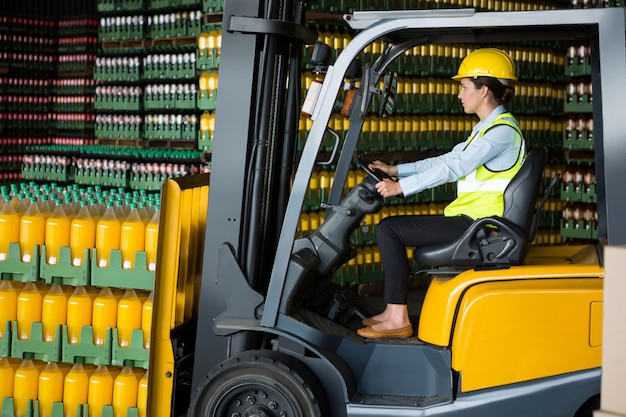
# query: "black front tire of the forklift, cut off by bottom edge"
261,383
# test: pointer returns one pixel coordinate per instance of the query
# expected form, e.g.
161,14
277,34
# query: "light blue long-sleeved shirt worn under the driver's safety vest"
496,150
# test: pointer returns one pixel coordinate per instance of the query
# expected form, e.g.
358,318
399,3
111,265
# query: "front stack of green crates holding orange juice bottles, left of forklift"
77,267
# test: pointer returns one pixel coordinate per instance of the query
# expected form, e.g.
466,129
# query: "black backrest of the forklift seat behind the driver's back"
520,196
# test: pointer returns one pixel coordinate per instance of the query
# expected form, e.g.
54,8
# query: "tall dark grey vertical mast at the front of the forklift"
253,155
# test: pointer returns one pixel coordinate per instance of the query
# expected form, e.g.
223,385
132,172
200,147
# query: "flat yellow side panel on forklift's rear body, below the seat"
497,340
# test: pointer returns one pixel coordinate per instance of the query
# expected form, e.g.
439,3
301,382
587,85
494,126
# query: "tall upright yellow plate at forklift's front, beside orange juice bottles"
184,210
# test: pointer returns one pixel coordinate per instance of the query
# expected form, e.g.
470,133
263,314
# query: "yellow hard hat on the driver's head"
487,62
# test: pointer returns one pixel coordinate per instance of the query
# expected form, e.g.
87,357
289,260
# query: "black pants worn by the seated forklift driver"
396,233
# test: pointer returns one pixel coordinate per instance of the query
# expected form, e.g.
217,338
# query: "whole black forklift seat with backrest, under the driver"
507,243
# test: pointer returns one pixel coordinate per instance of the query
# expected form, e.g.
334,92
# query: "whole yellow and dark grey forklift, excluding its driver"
240,325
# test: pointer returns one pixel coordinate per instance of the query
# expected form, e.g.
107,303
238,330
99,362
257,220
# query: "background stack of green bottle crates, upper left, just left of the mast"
147,75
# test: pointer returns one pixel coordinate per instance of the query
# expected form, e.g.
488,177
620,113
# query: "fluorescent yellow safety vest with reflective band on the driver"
481,193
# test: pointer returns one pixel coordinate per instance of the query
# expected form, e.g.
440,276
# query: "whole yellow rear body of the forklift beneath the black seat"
489,318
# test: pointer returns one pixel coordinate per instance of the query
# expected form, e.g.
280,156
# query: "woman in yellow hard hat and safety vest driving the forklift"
482,166
